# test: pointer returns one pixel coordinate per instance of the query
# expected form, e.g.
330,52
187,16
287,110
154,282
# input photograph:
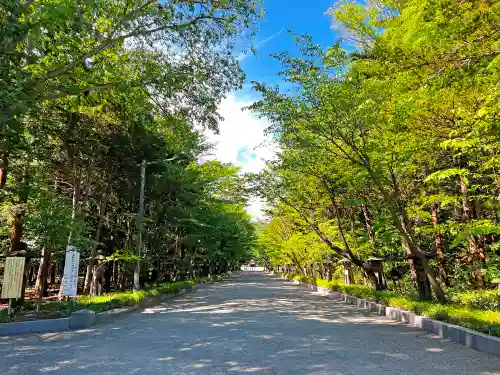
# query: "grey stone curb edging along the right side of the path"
470,338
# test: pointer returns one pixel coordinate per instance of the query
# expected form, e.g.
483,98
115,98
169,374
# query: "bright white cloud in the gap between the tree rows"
242,142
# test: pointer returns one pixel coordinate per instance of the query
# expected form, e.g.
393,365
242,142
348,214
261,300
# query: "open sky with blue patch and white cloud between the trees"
241,138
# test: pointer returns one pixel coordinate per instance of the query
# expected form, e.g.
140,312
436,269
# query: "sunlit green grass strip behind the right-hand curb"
464,315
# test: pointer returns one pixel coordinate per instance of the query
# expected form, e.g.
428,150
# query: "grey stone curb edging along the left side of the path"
83,319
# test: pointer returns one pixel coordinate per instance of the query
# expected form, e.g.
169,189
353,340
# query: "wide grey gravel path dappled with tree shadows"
249,324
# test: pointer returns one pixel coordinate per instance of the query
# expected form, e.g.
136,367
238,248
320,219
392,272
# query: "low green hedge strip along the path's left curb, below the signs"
106,302
